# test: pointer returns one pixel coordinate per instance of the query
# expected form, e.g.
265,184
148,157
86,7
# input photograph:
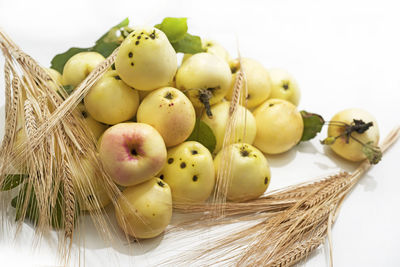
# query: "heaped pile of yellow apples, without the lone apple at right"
143,110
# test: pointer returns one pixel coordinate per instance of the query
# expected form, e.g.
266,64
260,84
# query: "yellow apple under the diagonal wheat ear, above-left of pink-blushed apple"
111,101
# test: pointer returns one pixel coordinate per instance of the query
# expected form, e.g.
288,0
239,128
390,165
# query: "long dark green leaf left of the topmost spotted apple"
105,45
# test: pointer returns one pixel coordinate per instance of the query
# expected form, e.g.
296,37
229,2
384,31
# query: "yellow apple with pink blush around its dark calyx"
132,152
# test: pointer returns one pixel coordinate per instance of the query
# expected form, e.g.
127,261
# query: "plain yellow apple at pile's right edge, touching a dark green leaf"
279,126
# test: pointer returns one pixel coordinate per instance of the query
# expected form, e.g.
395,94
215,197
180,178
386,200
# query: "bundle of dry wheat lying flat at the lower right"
285,235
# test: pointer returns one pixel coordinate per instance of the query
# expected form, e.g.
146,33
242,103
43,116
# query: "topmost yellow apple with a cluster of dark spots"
146,60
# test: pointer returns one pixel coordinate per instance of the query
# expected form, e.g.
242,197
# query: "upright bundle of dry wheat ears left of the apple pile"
56,141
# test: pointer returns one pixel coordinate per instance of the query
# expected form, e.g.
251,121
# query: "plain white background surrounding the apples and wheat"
343,54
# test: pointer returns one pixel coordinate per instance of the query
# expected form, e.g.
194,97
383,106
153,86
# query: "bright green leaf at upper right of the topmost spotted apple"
174,28
